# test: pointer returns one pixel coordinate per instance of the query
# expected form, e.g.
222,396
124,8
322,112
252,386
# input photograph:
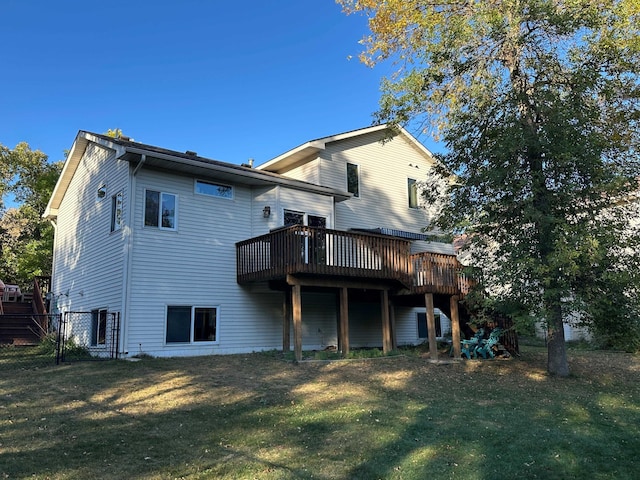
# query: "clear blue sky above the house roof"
229,80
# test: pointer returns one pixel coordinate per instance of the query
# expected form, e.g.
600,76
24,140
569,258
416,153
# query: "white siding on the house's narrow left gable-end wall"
88,257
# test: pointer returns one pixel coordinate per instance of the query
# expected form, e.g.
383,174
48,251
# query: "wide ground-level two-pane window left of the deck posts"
187,324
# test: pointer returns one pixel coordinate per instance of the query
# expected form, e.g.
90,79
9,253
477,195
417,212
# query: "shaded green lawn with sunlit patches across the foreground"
258,416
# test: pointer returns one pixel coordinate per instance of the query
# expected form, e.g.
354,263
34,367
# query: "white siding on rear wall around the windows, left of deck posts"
196,265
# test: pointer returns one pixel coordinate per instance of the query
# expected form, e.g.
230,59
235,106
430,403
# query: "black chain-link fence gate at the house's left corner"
91,335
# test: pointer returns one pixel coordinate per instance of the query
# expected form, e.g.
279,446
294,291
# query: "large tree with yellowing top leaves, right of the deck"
538,104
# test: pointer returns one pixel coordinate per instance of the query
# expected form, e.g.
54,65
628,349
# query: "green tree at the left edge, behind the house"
26,240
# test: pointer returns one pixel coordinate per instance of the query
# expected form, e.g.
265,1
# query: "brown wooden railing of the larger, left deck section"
318,251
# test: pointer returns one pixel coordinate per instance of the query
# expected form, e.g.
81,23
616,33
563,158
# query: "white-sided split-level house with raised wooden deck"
319,247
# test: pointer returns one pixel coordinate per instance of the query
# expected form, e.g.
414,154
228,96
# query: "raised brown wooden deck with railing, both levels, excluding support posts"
348,256
